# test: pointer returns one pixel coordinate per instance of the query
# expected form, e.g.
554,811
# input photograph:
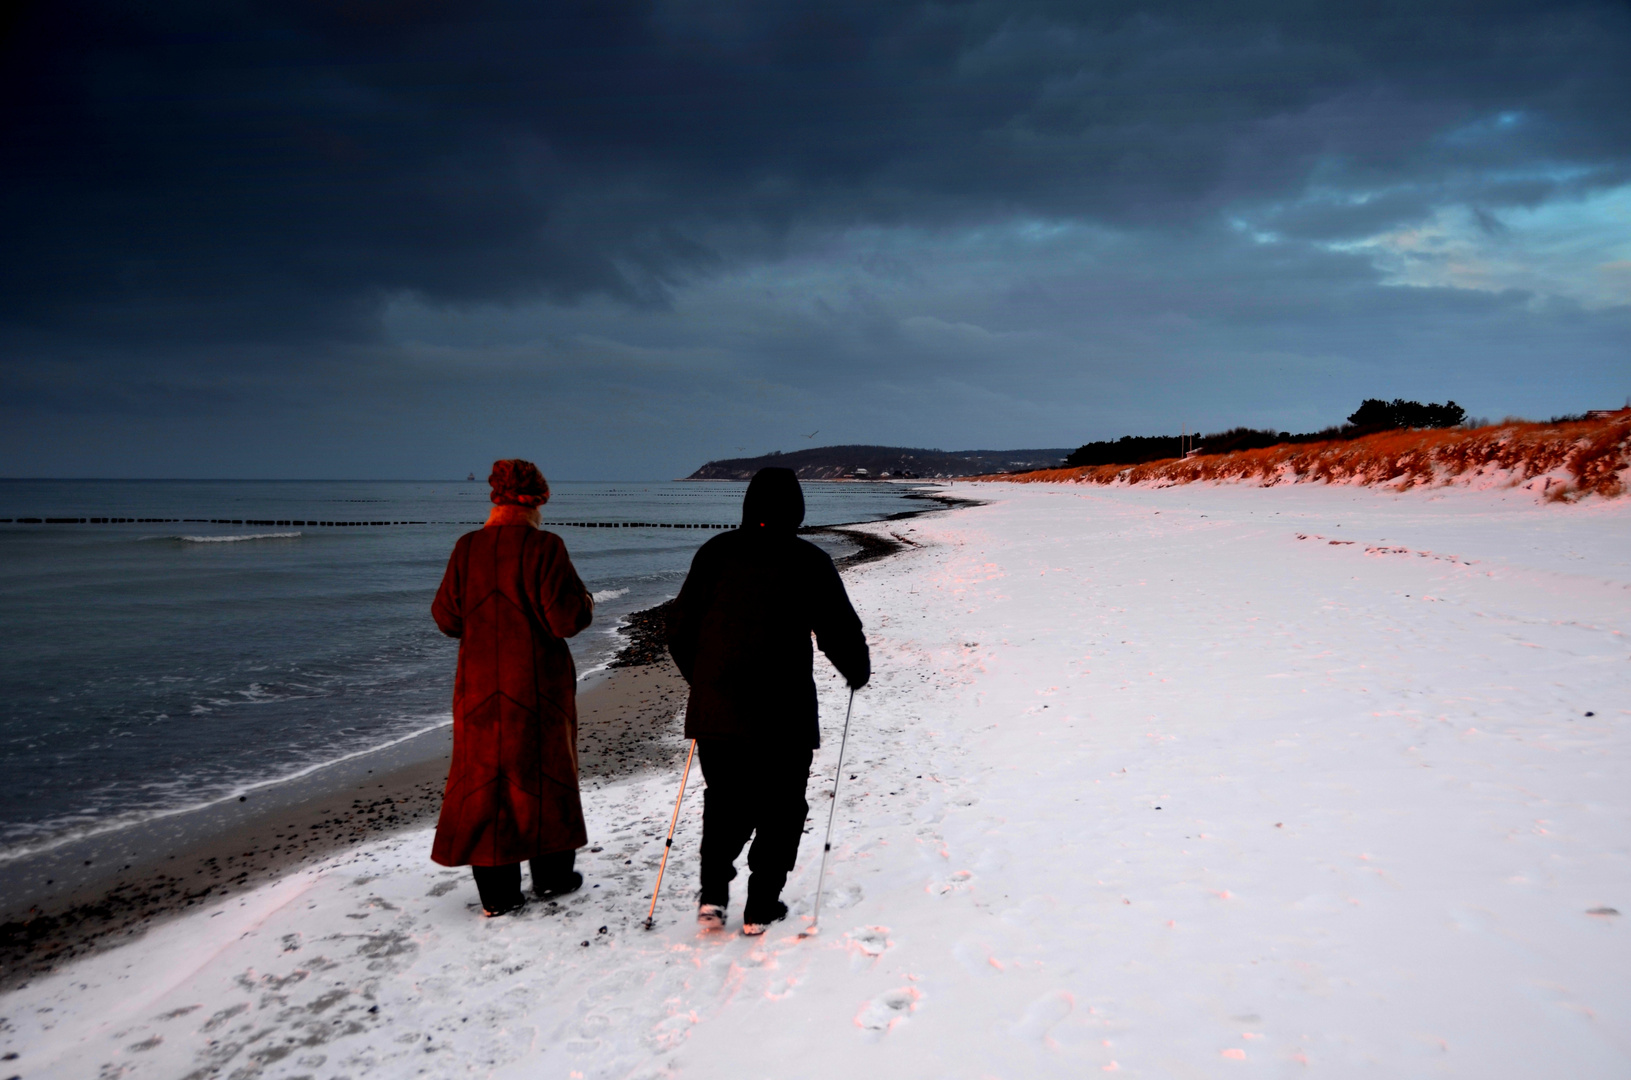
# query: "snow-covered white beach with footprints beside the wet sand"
1200,782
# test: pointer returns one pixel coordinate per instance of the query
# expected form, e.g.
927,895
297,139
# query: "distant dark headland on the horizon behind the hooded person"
860,463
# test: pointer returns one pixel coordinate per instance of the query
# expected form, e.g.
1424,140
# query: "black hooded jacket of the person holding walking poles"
741,627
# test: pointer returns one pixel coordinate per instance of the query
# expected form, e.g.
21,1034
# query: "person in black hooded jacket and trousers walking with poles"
741,635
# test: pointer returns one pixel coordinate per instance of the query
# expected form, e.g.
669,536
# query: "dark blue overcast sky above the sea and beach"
405,237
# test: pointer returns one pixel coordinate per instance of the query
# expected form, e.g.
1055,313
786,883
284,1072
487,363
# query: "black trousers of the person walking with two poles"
753,792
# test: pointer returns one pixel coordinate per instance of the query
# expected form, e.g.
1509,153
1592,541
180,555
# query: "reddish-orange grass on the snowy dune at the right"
1563,461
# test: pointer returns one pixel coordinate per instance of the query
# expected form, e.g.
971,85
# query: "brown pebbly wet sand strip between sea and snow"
102,892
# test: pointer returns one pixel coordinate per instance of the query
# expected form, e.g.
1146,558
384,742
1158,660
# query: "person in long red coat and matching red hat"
511,596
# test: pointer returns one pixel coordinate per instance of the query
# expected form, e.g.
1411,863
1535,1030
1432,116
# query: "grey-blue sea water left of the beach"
157,666
